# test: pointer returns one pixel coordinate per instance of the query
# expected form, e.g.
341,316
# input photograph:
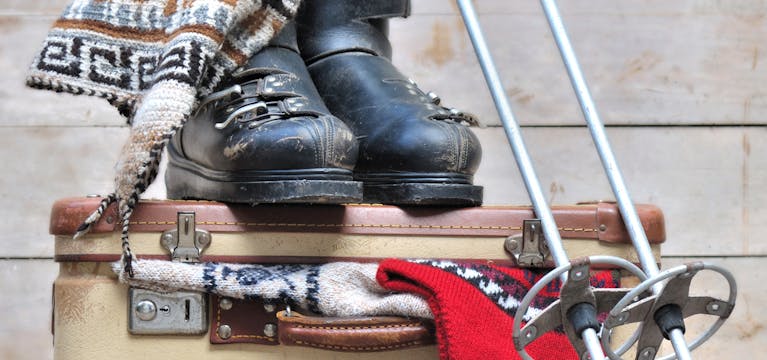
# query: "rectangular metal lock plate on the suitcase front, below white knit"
176,313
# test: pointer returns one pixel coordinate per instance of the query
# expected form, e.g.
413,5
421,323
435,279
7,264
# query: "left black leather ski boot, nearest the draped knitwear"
266,137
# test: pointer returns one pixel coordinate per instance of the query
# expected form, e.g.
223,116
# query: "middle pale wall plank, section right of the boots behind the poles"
708,181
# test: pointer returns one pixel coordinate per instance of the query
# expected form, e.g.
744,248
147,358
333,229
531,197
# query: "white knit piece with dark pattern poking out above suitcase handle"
333,289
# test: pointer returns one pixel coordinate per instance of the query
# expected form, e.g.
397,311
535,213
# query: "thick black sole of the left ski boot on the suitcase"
185,180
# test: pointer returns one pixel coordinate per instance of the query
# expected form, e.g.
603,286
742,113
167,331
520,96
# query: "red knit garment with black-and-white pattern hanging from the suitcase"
474,306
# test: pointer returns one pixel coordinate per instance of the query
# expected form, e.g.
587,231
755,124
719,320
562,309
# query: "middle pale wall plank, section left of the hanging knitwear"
43,164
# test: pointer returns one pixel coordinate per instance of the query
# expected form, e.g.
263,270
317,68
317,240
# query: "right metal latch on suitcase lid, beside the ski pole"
528,248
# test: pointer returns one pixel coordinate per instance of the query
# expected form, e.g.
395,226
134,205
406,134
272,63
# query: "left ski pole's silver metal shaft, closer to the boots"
550,230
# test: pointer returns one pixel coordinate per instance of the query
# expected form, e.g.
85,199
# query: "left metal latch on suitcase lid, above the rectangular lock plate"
185,243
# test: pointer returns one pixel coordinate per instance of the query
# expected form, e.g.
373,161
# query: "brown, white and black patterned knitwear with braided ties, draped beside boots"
153,60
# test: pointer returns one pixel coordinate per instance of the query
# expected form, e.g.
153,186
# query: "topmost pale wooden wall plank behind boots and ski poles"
707,70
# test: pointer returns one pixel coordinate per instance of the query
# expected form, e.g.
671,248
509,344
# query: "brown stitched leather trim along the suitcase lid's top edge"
600,221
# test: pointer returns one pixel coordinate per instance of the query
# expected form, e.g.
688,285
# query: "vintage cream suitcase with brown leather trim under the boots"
93,311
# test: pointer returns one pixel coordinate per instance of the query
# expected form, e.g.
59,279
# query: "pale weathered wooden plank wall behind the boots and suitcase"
680,83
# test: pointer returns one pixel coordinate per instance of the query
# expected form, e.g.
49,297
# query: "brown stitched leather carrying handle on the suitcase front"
357,334
